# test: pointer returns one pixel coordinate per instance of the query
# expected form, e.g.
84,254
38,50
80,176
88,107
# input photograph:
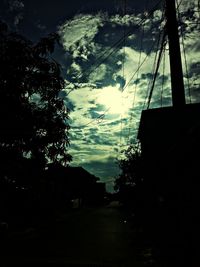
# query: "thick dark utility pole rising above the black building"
177,84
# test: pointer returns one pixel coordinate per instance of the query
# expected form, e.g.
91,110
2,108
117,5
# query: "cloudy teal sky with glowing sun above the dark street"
107,55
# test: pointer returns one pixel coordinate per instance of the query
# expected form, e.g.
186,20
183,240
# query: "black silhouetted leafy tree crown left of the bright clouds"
33,118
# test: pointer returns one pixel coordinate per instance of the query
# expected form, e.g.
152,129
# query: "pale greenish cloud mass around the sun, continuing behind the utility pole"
107,90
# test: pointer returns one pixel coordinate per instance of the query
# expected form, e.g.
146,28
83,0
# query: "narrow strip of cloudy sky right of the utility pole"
190,48
